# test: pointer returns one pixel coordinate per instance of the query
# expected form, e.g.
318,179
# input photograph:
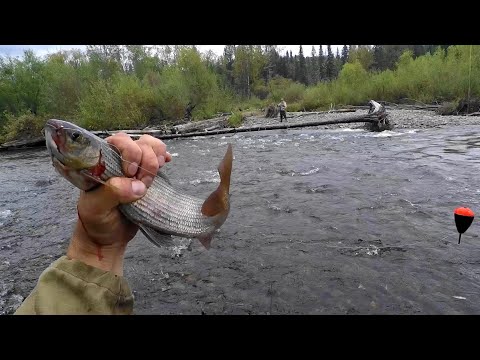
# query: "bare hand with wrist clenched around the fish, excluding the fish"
102,232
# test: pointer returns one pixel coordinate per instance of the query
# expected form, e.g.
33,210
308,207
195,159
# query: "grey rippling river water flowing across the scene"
322,222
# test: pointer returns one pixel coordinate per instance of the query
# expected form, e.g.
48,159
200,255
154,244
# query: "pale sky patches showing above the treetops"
40,50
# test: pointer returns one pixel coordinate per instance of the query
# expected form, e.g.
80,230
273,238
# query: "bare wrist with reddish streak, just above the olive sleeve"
108,257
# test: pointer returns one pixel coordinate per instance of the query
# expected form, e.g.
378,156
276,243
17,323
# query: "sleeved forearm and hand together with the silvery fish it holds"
136,195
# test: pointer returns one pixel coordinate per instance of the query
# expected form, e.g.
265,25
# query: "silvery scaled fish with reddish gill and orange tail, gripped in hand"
87,160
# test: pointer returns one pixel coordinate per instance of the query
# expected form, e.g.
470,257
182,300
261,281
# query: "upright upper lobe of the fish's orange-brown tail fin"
218,201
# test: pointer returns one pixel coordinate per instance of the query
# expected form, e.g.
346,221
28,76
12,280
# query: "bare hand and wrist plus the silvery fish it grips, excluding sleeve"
162,212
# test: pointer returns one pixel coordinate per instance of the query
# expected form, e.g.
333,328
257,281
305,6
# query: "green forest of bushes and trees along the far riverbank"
109,87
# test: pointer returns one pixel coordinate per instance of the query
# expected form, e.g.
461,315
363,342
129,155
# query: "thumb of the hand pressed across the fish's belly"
118,190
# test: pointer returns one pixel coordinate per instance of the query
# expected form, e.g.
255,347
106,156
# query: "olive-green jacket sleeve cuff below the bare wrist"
73,287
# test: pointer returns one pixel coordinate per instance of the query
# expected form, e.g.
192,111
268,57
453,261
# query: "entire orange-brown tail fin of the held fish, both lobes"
217,205
